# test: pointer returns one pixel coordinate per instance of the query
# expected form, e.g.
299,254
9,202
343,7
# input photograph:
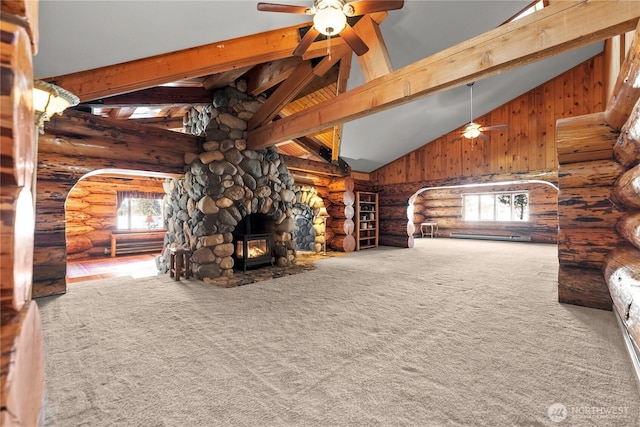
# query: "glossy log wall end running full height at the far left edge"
21,339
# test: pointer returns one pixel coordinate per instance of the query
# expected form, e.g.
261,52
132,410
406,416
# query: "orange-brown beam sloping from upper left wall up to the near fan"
189,63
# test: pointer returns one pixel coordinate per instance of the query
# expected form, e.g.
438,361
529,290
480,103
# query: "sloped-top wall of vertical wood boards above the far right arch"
528,144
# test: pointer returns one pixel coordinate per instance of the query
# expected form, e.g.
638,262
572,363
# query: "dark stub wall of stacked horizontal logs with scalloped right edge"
586,213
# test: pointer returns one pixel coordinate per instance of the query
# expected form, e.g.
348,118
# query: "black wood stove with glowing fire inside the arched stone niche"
253,238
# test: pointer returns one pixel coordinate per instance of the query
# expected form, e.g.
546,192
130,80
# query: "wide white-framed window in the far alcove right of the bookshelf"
495,207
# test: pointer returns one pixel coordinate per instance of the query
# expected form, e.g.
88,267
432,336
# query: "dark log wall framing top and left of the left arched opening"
74,145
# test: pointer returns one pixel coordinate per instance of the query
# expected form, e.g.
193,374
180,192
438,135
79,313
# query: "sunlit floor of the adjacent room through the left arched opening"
100,268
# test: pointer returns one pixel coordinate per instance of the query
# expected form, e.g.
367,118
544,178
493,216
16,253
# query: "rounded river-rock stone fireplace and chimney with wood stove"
207,210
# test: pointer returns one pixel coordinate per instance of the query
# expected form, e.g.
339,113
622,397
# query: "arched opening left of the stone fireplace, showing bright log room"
114,224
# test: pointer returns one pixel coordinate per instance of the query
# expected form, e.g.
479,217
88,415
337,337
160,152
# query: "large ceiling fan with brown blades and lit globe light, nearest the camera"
330,19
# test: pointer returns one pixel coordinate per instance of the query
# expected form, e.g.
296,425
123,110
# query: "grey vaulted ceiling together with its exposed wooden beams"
152,61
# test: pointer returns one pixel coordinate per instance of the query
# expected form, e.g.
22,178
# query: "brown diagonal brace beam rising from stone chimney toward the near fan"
288,90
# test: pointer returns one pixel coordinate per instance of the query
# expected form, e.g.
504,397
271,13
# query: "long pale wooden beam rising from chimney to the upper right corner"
541,35
